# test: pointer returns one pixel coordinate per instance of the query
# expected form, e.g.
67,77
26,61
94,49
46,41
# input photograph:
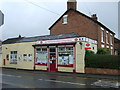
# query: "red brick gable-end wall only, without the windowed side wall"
76,23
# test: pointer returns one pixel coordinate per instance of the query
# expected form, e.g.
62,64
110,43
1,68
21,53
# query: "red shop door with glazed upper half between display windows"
52,60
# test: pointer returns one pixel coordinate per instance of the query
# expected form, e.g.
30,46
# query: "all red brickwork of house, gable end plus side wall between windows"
81,25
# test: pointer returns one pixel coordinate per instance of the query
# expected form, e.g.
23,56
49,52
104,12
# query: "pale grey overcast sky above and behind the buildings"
34,17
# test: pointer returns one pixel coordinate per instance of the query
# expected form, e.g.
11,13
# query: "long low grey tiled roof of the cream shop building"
37,38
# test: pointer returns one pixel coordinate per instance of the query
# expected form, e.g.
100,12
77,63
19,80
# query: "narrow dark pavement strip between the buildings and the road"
96,76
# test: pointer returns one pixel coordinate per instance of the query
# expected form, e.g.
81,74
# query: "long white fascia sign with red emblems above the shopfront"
58,41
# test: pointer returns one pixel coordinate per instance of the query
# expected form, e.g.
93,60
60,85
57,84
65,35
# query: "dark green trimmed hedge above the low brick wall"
102,61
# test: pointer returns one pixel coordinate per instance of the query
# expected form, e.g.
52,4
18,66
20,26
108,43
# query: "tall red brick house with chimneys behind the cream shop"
75,21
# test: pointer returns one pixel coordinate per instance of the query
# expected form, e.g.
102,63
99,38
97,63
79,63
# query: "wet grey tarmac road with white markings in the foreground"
12,78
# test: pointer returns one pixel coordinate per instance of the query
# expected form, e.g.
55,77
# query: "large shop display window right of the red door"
65,55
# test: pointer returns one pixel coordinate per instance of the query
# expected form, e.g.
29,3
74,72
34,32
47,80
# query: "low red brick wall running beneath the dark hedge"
102,71
